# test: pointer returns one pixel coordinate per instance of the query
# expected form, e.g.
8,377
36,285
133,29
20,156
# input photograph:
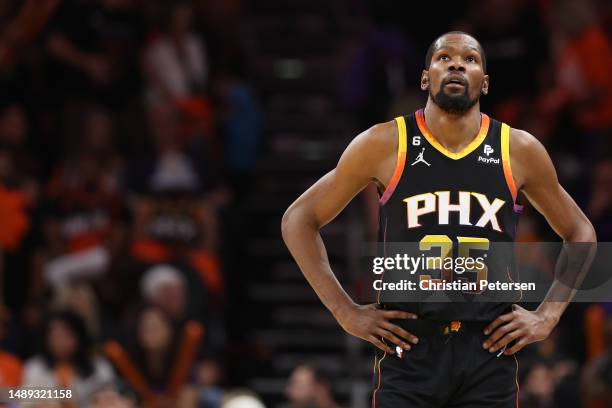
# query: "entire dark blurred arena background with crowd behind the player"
149,148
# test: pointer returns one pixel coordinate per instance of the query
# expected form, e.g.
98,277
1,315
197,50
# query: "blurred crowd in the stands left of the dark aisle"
127,131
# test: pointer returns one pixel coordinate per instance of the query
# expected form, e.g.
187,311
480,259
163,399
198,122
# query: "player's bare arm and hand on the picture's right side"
535,176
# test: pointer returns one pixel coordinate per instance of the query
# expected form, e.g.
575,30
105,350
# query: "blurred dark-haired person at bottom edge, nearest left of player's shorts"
309,387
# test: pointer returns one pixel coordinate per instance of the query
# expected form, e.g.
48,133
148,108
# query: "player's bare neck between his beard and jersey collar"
453,131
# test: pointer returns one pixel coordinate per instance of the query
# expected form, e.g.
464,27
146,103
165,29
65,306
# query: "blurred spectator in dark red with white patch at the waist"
86,214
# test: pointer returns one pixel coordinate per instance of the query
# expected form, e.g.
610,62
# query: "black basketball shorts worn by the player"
447,368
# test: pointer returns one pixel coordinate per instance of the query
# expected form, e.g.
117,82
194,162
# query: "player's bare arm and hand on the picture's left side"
370,157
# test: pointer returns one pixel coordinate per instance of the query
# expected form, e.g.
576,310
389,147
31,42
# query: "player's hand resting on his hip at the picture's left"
370,323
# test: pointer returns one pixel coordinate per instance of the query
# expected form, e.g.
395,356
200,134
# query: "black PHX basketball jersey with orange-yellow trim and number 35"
441,199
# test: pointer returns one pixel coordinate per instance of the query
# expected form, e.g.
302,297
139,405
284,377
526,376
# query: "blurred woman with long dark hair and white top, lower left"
65,360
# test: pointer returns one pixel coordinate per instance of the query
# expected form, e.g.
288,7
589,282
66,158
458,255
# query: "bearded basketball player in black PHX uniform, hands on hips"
447,170
